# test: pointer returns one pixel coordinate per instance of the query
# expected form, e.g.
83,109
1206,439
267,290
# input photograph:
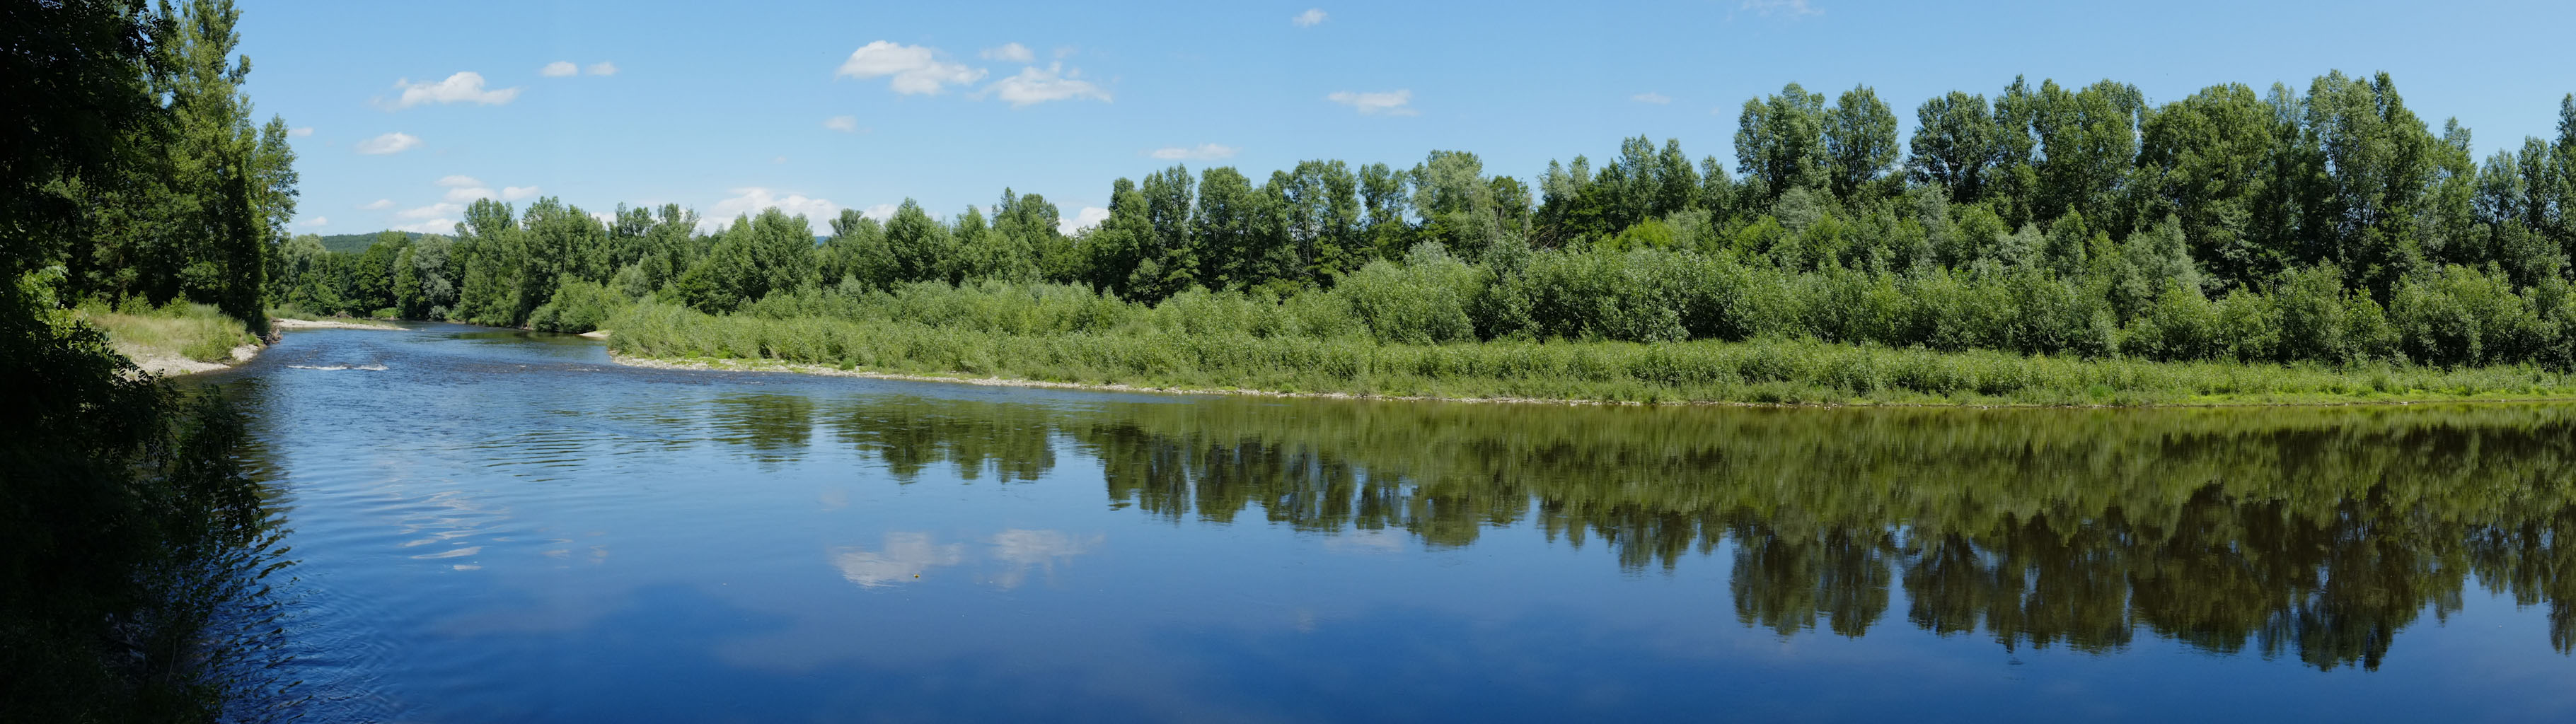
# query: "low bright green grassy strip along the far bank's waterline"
1761,372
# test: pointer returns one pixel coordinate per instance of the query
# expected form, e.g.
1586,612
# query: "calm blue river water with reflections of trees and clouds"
501,527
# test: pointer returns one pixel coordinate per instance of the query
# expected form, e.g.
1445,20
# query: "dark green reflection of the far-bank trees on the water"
2294,532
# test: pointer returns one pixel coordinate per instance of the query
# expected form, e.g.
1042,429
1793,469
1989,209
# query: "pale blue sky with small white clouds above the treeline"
730,107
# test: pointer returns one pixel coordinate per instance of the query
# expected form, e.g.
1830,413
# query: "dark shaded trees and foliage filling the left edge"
130,169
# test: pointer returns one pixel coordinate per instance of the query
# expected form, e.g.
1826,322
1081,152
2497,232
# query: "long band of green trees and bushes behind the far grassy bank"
2333,225
